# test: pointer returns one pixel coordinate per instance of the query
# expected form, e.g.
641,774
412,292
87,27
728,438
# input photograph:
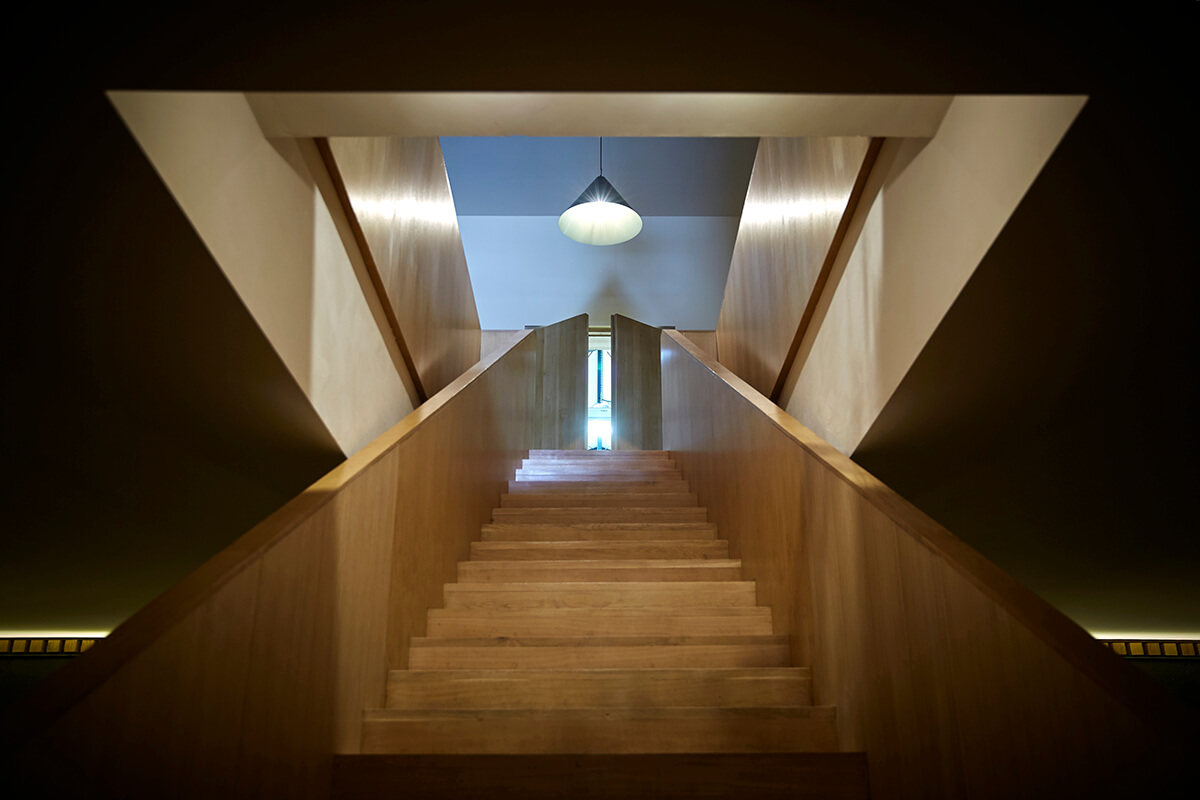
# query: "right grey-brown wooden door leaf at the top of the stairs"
637,386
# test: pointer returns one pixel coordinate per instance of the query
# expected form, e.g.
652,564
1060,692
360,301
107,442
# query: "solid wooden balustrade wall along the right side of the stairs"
956,681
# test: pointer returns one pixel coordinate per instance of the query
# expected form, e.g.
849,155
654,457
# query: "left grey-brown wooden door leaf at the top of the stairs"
562,416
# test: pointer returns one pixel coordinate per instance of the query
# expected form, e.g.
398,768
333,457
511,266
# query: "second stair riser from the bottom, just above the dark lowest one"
685,736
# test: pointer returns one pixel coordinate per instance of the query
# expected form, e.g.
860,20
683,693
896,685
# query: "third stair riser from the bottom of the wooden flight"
589,689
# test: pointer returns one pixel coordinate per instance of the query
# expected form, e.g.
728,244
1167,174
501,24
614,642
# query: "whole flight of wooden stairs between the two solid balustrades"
599,616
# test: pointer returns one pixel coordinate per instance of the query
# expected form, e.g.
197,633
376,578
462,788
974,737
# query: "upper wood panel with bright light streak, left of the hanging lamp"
401,200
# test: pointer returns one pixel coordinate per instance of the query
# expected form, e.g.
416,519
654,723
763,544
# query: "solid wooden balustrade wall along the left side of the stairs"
248,677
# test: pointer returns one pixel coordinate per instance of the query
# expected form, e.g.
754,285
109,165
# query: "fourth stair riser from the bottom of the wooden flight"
608,658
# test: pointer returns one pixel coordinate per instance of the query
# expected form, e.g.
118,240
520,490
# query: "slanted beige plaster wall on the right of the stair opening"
943,206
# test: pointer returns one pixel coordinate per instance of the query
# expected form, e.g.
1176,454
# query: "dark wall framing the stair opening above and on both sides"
115,294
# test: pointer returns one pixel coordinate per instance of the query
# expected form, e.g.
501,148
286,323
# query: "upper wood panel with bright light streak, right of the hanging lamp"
795,203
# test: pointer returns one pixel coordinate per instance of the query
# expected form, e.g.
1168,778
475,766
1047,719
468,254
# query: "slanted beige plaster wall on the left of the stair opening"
254,203
